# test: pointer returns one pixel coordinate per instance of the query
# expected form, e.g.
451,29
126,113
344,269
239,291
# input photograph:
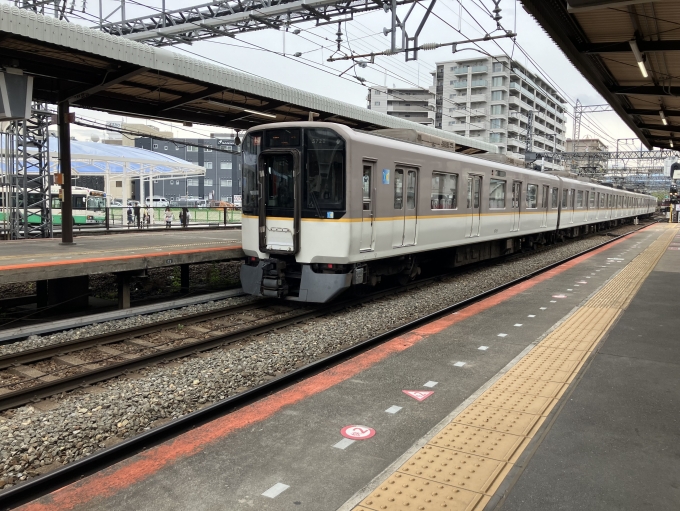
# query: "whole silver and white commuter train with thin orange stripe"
326,208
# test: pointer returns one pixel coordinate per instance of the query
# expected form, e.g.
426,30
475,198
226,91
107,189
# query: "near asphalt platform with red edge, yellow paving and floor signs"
561,392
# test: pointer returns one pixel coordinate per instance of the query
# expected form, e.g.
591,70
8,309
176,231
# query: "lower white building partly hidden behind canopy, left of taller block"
411,104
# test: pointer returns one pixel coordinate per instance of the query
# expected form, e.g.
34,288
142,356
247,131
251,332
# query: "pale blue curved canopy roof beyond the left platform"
94,159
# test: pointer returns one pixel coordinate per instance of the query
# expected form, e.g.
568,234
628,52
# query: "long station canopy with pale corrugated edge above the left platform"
95,70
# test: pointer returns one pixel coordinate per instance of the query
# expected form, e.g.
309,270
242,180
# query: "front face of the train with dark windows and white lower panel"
295,187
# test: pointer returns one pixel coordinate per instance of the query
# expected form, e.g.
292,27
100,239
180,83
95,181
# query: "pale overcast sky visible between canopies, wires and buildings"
262,53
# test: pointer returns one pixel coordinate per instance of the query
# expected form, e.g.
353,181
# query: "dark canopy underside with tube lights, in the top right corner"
598,36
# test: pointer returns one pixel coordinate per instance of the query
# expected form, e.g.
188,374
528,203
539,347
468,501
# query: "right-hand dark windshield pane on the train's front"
324,170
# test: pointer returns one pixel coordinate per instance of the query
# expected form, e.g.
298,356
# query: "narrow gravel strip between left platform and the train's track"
36,341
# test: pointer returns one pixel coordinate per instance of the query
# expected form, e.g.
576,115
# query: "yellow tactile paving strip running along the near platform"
464,463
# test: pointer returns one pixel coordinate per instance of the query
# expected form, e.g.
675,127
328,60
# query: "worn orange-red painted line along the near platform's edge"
140,467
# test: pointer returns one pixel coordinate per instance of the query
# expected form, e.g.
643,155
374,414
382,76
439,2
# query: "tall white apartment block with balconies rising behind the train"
492,98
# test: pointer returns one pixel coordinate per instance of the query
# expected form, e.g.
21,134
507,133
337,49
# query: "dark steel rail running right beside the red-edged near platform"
35,488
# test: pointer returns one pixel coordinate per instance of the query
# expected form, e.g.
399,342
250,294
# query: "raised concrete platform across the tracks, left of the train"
62,271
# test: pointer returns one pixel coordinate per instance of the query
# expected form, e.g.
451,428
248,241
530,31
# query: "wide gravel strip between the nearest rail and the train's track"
36,439
